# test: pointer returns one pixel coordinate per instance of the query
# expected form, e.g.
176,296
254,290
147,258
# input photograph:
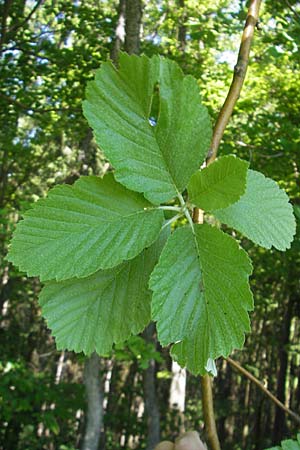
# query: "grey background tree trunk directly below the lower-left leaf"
94,393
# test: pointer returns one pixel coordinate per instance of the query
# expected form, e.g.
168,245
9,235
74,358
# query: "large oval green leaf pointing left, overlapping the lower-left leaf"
77,230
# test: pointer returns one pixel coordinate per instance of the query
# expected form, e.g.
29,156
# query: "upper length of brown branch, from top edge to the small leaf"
238,78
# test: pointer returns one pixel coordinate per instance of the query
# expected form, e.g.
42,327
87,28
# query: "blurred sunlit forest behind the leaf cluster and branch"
48,51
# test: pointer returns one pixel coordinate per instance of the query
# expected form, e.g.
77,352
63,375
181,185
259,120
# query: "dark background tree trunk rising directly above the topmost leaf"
133,26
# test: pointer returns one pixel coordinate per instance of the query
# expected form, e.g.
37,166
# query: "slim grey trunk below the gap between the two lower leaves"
150,396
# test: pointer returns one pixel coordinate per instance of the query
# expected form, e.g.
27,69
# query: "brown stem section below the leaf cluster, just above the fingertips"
208,412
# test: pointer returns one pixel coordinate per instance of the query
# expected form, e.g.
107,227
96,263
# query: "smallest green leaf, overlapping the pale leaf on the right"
220,184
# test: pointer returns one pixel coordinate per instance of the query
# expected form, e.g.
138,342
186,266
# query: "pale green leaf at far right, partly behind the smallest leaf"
263,214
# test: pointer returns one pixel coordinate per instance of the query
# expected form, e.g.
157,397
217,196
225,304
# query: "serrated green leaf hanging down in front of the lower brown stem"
201,295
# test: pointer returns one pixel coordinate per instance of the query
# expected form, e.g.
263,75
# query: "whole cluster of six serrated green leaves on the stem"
97,244
